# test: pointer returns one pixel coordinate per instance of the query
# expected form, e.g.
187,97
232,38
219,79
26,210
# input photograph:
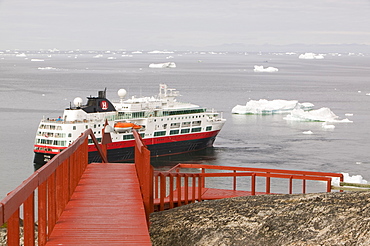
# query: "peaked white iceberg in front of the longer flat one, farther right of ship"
322,115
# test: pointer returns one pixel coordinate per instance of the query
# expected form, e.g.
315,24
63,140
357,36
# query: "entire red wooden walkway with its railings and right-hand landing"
76,203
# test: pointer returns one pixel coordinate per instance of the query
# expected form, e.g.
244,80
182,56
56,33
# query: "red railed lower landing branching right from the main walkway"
189,183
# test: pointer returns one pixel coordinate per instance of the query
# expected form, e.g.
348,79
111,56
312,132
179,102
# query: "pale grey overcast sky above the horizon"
164,24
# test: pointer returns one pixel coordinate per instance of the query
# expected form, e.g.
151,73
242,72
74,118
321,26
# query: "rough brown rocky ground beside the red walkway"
311,219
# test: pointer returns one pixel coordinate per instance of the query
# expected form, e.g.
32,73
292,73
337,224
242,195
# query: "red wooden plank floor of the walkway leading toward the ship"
105,209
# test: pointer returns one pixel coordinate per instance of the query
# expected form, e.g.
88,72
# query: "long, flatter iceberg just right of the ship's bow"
264,106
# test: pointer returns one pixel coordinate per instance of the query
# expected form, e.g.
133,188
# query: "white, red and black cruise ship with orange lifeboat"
166,126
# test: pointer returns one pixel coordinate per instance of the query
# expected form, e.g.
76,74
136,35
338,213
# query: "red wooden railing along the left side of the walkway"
46,191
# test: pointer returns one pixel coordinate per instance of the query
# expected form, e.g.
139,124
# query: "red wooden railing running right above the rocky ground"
169,186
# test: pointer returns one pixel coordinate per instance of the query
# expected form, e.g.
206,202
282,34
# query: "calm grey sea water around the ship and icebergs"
37,85
